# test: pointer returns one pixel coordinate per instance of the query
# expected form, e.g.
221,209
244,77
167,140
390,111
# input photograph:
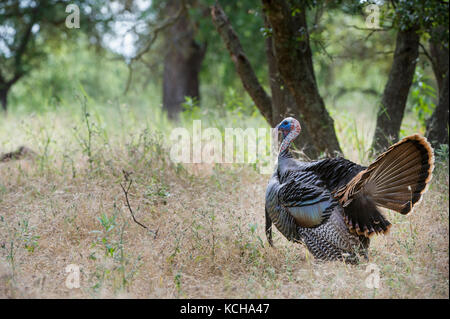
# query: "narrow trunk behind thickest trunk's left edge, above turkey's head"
283,103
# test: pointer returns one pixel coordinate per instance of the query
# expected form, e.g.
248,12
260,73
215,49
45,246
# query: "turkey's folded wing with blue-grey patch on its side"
310,203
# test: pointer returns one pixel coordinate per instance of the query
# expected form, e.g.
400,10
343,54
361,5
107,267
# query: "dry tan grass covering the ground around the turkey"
65,208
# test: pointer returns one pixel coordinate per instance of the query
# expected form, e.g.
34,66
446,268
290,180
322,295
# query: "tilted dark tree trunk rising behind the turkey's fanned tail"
395,95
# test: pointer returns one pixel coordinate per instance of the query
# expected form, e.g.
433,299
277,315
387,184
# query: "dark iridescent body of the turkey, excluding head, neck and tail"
297,183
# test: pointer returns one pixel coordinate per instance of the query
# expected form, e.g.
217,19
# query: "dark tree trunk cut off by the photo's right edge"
437,126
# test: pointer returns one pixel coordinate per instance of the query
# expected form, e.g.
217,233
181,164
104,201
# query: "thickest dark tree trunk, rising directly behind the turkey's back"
294,61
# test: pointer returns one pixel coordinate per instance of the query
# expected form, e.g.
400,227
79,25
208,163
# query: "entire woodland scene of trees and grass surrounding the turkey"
86,109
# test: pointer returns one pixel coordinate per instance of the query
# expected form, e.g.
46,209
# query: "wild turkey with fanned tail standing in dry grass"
331,205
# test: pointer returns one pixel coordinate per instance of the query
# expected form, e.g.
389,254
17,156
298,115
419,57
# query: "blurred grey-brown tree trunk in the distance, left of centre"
182,63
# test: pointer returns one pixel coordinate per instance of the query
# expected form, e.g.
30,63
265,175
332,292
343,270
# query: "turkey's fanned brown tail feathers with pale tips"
396,180
